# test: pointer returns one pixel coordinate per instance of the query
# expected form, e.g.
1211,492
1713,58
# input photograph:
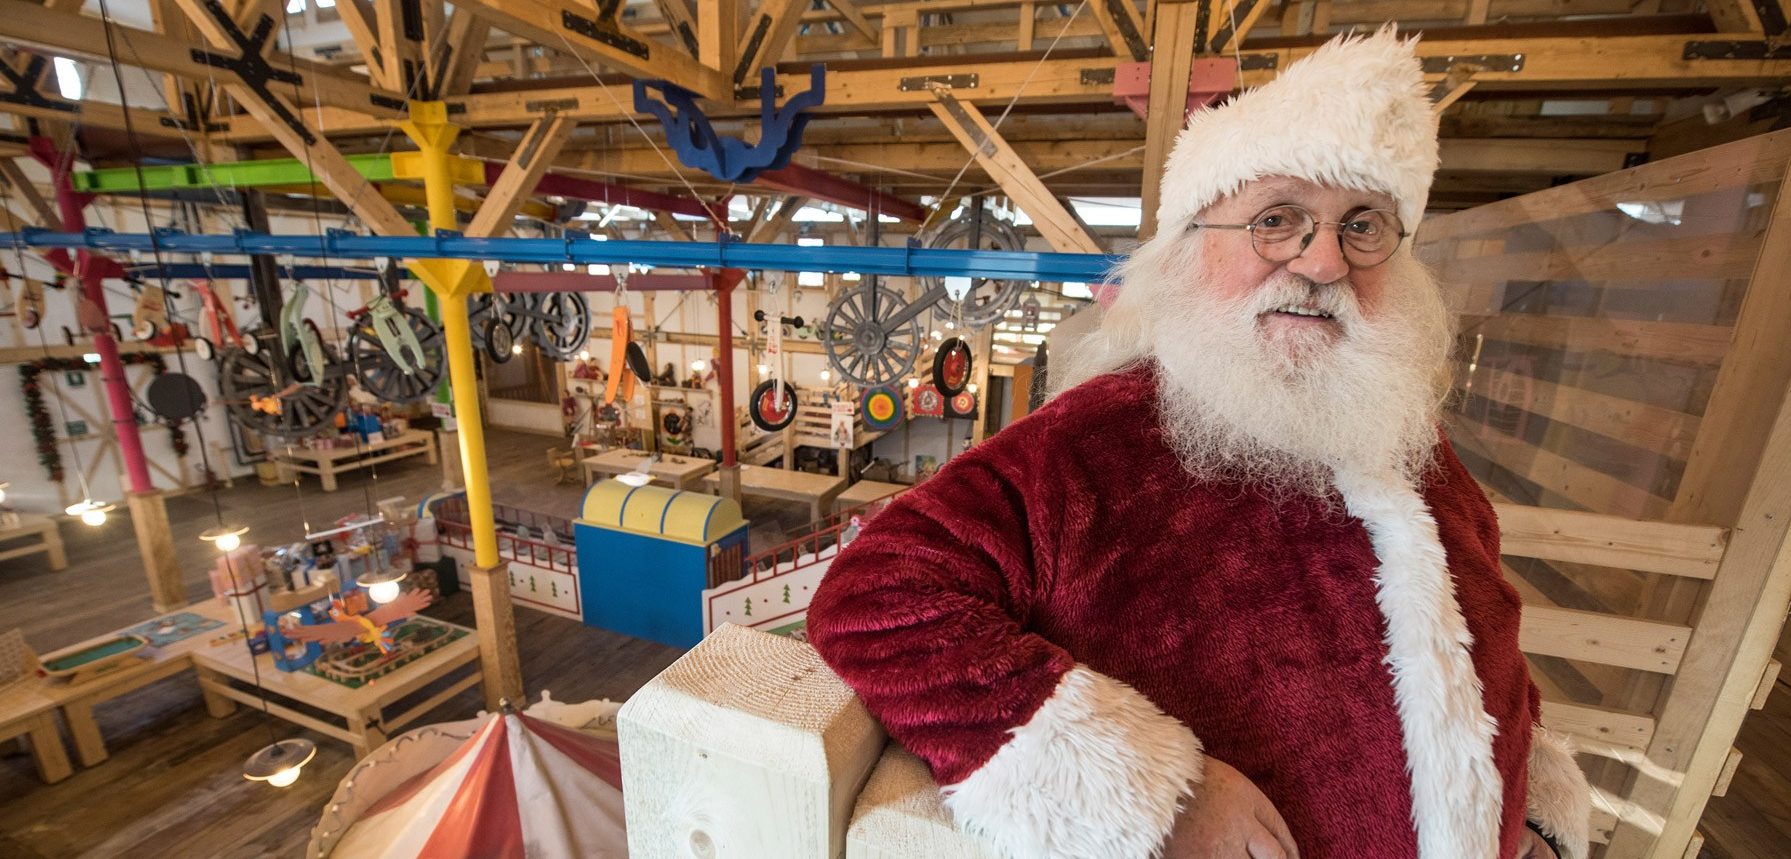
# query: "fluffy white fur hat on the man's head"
1353,115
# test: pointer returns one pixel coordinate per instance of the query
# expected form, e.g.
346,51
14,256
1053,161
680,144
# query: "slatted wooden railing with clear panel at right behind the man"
1622,395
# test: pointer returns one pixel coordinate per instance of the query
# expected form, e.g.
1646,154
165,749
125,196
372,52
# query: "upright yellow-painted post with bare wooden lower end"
452,280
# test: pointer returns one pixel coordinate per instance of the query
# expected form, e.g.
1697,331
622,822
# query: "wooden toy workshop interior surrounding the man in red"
375,368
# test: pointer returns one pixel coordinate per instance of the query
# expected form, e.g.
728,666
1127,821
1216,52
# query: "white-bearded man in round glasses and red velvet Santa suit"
1230,595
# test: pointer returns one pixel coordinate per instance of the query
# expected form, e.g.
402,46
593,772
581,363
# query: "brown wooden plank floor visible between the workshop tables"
175,787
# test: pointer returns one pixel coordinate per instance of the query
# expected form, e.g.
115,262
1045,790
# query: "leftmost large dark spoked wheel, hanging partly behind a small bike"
264,375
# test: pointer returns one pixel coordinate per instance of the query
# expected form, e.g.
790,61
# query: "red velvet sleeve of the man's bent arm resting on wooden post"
925,613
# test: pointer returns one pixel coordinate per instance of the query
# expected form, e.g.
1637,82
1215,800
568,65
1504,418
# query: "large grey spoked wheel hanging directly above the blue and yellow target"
871,336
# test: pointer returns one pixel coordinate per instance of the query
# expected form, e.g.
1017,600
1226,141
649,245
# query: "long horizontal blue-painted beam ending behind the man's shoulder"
579,248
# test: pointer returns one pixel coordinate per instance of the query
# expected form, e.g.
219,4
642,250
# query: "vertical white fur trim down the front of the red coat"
1448,735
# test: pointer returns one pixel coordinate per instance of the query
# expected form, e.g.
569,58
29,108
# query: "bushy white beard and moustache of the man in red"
1287,416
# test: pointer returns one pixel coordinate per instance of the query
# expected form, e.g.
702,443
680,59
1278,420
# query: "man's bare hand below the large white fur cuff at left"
1230,819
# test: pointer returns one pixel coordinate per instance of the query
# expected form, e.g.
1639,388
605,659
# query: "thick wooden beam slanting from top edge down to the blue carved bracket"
579,30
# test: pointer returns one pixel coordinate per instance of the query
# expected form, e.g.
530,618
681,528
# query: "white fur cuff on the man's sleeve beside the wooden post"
1099,772
